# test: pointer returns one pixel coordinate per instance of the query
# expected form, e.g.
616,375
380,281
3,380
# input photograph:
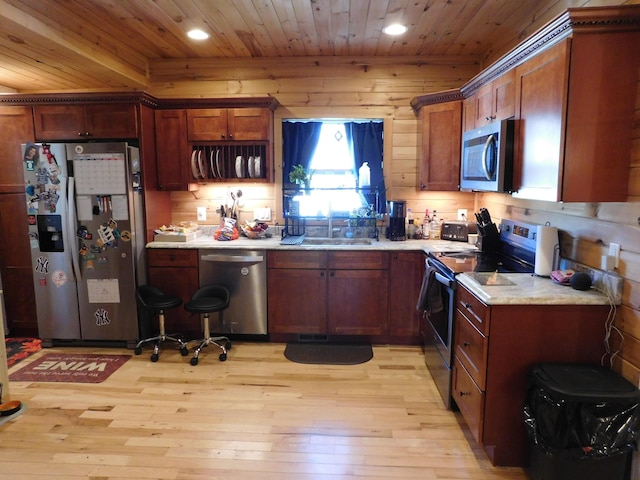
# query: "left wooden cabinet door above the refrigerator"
59,122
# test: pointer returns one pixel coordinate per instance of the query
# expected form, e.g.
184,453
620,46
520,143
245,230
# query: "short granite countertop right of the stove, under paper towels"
526,289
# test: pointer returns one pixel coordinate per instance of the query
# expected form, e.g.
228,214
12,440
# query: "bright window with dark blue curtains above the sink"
332,152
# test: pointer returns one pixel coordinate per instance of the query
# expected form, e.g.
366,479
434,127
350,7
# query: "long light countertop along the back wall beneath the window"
273,243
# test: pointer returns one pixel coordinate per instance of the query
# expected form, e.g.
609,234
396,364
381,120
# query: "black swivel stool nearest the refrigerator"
155,301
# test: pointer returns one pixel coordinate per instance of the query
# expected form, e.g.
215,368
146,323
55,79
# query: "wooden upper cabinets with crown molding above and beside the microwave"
574,87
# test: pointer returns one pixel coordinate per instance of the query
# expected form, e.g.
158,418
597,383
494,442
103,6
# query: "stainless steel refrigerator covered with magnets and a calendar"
84,210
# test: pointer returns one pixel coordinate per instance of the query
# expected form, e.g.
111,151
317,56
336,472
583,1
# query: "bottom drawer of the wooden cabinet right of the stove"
469,399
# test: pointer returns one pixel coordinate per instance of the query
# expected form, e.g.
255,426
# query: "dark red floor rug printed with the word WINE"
70,367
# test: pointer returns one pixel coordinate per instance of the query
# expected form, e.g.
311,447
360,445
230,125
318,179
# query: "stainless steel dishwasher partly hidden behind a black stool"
244,273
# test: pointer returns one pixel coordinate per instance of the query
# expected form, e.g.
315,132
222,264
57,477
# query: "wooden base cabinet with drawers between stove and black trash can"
495,347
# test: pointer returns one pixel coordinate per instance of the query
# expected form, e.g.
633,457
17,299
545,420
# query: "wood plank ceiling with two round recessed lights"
74,45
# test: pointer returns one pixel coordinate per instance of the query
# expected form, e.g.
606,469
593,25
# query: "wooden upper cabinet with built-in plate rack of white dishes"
214,140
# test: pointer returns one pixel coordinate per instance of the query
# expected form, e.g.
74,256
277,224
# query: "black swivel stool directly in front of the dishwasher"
206,300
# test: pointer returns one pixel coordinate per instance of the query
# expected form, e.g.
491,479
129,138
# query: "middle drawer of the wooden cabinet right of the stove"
471,348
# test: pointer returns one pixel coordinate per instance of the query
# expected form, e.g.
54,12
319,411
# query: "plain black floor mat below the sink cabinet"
328,353
